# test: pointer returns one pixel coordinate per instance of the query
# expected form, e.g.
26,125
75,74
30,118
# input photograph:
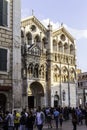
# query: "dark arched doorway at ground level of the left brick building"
2,102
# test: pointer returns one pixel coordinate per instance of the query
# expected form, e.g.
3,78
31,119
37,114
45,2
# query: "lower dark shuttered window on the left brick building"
3,59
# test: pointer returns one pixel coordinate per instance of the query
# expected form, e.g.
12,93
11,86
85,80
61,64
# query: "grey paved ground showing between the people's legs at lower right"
67,125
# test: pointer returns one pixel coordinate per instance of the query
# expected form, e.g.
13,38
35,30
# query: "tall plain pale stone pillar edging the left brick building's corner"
16,77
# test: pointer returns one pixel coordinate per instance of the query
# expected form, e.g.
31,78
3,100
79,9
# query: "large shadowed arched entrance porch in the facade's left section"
37,91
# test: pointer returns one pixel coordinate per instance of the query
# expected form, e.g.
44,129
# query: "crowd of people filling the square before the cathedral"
27,120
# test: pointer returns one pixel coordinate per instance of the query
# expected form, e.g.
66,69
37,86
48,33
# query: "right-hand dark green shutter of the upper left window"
5,10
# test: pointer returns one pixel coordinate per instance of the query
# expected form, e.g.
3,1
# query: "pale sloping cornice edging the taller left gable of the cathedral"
33,19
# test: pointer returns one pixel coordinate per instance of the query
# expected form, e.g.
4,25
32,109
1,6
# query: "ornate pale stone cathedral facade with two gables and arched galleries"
48,65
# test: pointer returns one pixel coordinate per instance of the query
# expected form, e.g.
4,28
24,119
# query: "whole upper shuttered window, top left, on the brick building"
3,12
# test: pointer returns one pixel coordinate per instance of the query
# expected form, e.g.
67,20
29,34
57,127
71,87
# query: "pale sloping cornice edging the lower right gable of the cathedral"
63,30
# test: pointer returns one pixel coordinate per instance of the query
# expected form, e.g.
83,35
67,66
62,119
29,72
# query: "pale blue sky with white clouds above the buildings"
73,15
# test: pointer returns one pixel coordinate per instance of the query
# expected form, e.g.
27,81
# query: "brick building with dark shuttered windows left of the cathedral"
10,55
